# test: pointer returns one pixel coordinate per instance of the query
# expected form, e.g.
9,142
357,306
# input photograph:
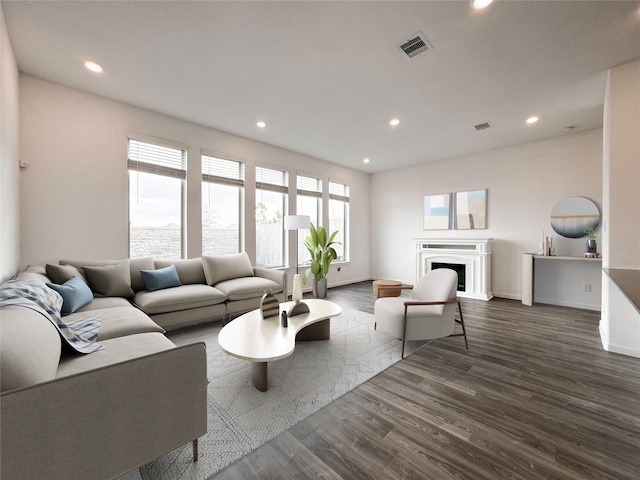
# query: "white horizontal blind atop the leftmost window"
156,159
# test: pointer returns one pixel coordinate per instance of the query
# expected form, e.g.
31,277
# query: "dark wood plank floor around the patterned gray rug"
534,397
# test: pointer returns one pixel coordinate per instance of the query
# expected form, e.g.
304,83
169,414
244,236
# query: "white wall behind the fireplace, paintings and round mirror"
524,183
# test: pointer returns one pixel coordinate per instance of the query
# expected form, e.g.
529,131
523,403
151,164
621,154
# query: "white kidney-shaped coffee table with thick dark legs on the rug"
251,338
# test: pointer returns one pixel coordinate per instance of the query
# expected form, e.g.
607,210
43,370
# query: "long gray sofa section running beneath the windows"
211,286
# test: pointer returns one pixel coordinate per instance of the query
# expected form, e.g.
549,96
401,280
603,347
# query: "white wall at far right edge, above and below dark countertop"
620,324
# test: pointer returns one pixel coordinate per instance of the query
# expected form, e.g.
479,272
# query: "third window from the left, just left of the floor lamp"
271,206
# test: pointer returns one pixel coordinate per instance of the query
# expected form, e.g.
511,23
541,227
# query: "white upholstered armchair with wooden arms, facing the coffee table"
428,313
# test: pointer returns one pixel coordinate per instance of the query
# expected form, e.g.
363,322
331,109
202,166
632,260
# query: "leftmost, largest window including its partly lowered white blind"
156,190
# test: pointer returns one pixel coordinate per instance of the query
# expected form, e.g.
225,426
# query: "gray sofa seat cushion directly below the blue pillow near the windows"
178,298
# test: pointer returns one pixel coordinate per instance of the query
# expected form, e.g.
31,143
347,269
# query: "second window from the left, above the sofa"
222,205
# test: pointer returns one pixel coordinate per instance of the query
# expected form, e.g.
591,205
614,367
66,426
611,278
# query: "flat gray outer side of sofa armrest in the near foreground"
105,422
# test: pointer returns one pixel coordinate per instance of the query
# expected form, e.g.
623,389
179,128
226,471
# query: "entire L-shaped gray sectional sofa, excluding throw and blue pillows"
66,415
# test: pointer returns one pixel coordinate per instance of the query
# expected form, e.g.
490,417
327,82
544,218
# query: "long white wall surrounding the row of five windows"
75,194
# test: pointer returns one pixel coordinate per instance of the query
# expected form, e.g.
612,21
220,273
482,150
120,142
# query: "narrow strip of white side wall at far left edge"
9,157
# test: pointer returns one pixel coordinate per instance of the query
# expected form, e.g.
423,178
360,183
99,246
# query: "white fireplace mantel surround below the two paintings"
474,254
